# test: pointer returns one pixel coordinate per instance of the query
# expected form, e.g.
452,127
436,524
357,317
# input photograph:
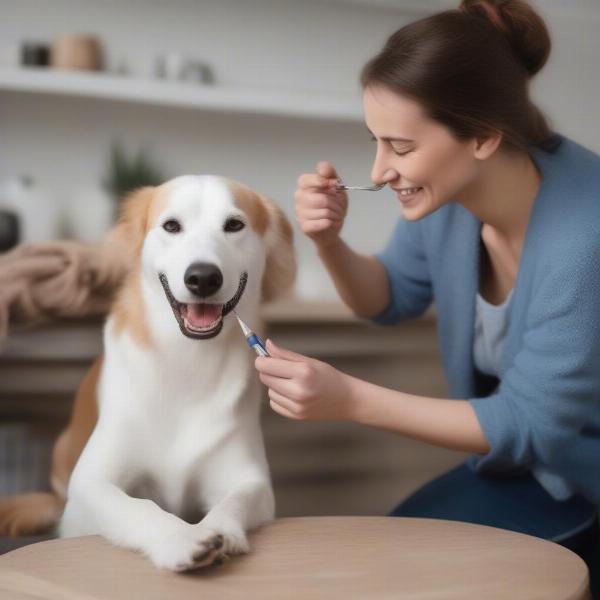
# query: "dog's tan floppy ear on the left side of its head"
128,234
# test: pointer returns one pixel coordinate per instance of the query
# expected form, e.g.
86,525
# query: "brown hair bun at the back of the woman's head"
520,23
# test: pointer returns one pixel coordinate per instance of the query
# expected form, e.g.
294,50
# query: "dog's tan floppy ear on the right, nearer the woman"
280,267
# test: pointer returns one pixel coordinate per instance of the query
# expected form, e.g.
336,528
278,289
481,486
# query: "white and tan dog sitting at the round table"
175,464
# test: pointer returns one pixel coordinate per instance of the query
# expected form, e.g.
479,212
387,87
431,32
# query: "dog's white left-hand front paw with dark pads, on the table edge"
189,549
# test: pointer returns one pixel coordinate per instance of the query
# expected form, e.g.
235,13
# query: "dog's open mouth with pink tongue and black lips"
201,320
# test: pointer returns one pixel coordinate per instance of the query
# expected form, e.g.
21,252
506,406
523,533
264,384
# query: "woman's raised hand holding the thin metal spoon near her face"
320,207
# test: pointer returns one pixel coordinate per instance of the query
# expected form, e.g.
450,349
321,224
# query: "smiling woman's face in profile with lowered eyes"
418,157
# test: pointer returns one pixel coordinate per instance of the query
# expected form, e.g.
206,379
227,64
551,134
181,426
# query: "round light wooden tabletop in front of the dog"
311,558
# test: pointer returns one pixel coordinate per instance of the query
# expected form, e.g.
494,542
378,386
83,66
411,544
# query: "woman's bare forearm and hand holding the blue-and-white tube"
303,388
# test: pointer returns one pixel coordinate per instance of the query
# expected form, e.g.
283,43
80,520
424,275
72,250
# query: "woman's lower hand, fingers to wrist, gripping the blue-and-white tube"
303,388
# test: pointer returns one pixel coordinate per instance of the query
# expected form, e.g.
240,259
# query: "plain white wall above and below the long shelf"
278,44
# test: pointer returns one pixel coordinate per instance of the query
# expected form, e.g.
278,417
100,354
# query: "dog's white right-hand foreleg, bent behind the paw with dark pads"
239,510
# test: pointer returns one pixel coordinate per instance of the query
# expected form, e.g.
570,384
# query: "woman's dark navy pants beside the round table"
515,503
